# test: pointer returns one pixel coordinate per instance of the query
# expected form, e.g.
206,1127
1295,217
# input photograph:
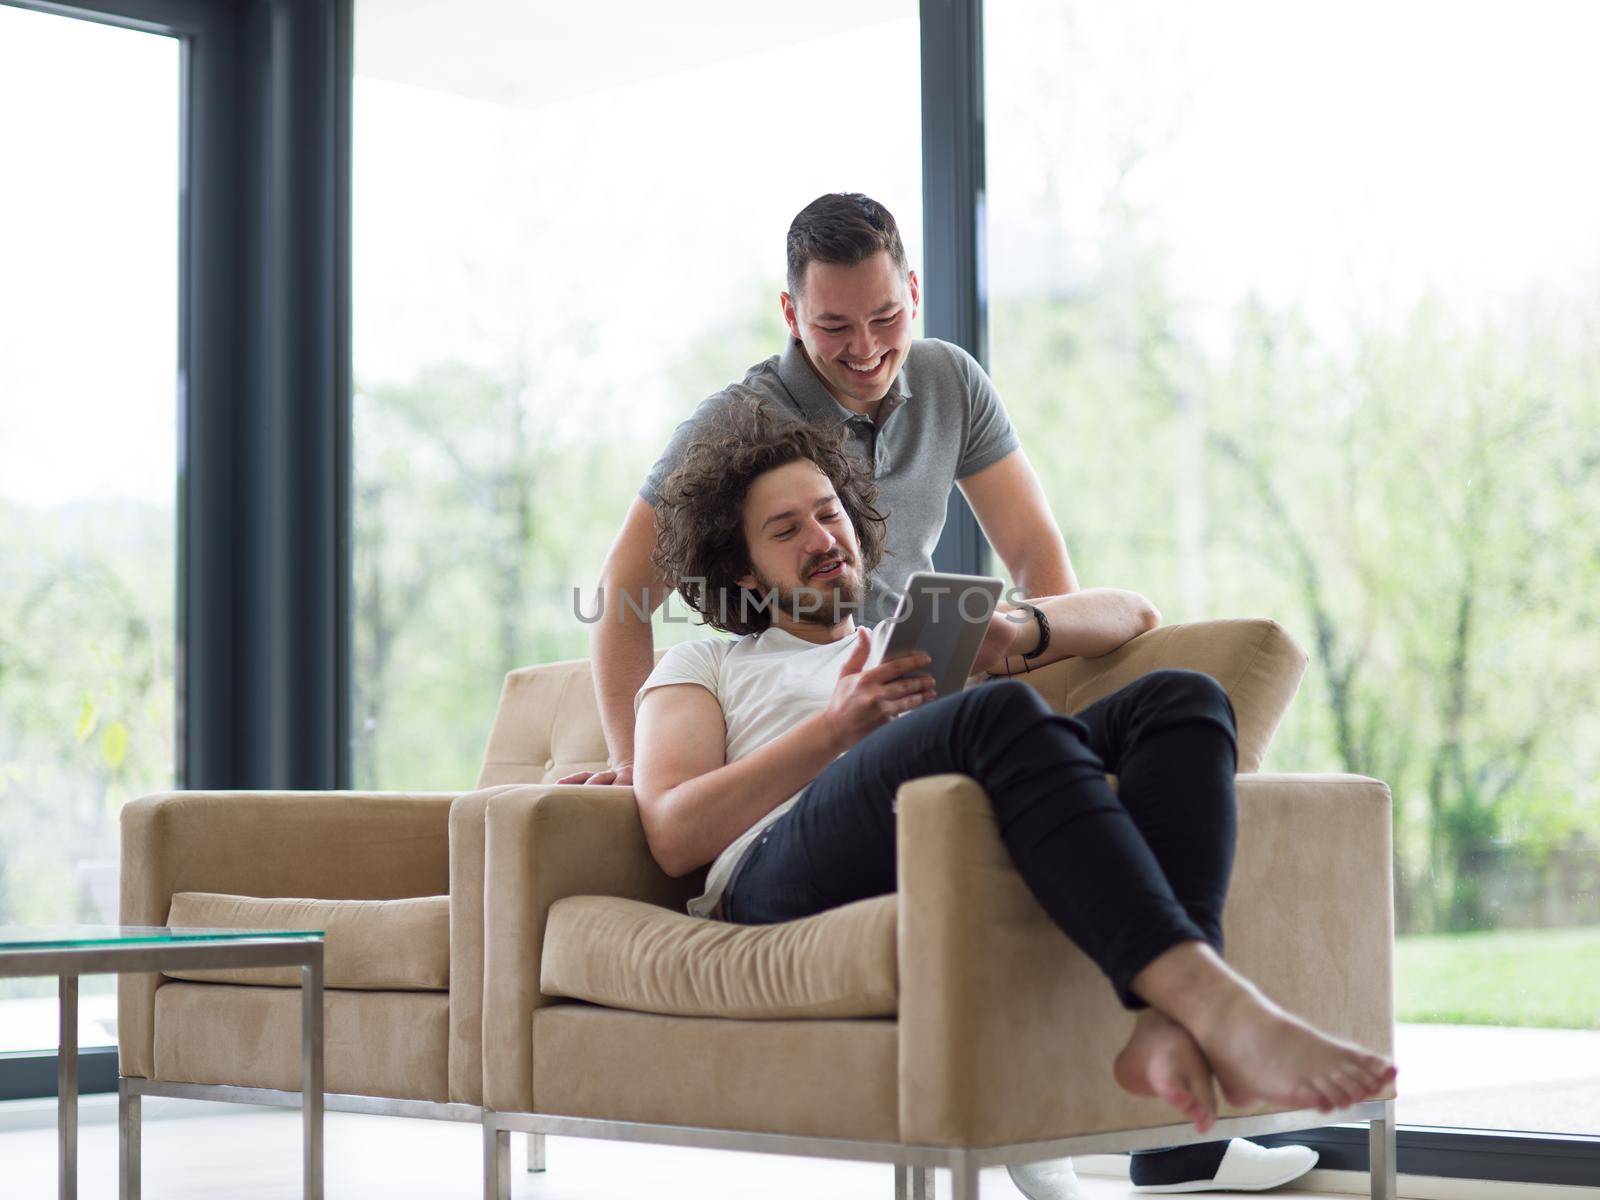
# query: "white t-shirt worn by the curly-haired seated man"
766,684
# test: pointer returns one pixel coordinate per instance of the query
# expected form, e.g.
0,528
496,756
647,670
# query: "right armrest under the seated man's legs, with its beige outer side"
1009,1031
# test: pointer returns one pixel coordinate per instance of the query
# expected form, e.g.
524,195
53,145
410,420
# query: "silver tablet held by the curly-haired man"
945,617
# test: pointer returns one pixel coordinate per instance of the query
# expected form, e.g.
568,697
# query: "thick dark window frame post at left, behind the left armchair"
265,402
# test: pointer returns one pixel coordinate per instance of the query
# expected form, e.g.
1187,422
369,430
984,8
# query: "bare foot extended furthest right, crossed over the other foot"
1265,1054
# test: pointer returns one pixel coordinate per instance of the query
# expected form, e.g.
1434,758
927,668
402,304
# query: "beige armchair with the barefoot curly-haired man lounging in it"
948,1026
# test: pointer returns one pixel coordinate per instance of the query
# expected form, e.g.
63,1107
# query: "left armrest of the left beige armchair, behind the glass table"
324,846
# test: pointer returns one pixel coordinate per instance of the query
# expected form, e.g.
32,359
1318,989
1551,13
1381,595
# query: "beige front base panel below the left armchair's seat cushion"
375,1044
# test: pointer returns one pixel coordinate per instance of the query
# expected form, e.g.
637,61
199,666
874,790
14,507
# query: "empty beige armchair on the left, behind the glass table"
402,962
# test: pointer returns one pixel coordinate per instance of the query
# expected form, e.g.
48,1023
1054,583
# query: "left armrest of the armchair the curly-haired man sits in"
548,842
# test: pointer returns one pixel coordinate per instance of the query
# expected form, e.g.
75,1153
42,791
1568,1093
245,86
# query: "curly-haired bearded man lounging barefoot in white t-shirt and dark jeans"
777,758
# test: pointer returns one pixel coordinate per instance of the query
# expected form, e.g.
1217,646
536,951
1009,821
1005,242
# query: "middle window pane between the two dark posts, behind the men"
567,234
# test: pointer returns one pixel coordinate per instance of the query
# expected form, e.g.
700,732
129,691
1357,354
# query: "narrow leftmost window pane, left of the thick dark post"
89,434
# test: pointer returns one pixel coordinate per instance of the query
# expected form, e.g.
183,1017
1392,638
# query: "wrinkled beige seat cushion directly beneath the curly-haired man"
646,959
